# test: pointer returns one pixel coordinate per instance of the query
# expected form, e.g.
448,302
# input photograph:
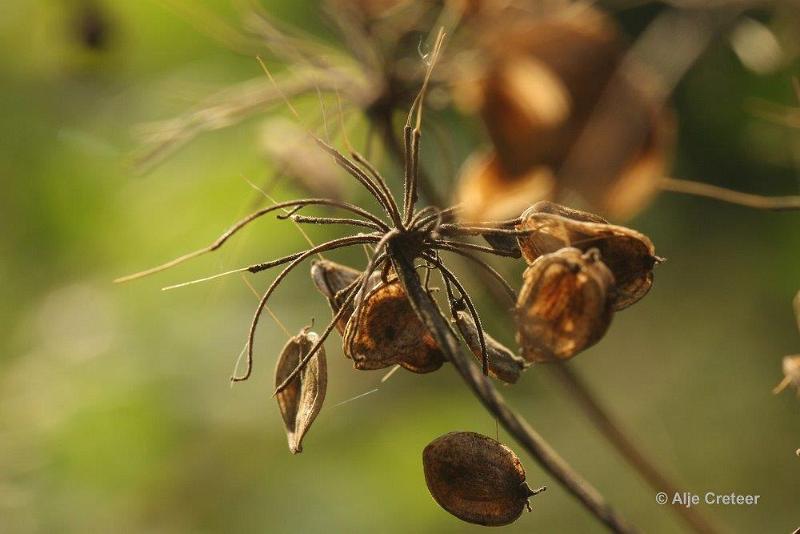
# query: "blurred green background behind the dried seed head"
116,412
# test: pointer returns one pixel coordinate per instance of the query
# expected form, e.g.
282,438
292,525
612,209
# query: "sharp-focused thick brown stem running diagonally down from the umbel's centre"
483,388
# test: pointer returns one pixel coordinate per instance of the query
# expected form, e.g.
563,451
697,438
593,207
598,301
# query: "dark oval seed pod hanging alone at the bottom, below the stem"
477,479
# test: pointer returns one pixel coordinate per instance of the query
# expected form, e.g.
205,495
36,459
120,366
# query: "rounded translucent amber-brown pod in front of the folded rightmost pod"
565,305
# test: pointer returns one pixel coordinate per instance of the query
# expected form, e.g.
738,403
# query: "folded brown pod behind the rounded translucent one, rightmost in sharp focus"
629,255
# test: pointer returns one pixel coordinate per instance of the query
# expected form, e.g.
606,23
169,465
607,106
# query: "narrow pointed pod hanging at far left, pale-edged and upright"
301,400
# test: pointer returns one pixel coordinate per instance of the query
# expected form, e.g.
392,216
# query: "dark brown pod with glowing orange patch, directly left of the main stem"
385,330
